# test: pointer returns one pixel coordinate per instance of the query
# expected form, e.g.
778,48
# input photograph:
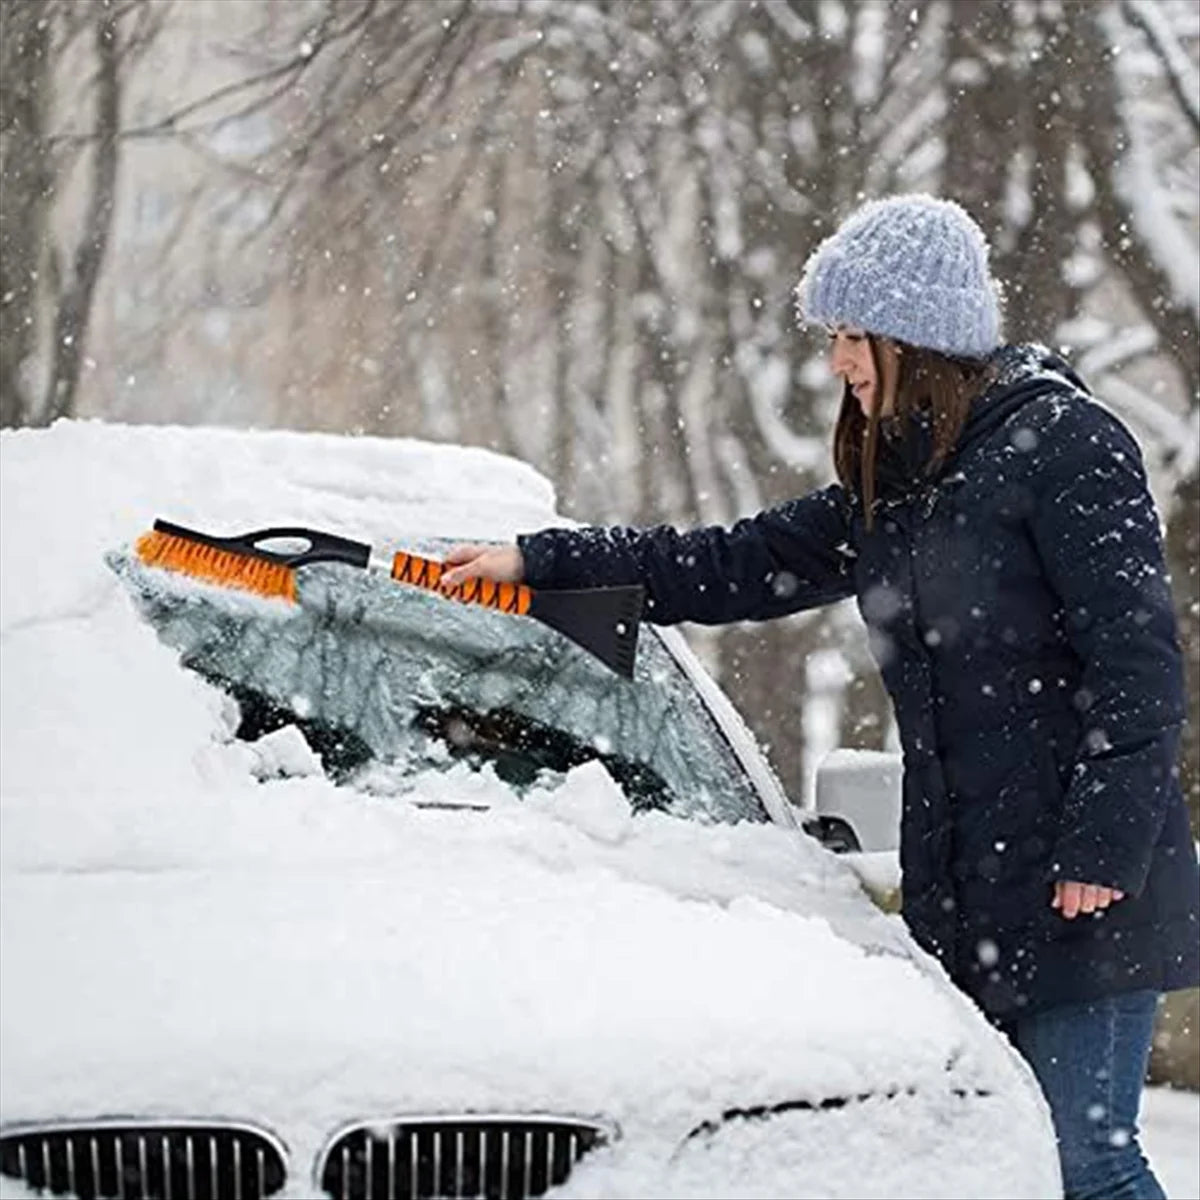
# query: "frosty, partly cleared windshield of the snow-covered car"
388,682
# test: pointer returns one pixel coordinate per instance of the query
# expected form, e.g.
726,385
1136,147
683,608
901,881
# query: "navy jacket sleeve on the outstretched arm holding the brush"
791,557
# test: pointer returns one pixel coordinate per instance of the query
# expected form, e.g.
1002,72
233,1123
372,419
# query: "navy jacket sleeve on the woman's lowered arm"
1099,537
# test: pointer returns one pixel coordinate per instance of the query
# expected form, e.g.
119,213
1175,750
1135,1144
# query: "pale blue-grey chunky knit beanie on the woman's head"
911,268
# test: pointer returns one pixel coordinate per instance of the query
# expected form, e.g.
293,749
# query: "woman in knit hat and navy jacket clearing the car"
995,525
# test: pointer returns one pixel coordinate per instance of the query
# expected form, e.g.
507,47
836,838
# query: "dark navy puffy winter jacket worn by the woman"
1021,614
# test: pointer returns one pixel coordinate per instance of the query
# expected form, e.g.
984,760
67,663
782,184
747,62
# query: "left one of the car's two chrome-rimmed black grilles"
145,1161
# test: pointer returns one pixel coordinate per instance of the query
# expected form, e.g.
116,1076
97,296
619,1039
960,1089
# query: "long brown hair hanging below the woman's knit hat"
928,382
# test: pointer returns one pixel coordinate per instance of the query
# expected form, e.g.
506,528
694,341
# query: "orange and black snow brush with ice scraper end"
603,621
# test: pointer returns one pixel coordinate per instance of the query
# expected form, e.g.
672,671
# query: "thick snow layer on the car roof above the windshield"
86,487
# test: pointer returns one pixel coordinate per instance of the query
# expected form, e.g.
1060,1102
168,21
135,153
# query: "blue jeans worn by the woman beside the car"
1091,1060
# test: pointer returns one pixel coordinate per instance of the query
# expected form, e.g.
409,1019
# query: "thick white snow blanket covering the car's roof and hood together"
183,940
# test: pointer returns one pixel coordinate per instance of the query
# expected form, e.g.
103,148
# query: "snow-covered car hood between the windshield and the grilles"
307,955
